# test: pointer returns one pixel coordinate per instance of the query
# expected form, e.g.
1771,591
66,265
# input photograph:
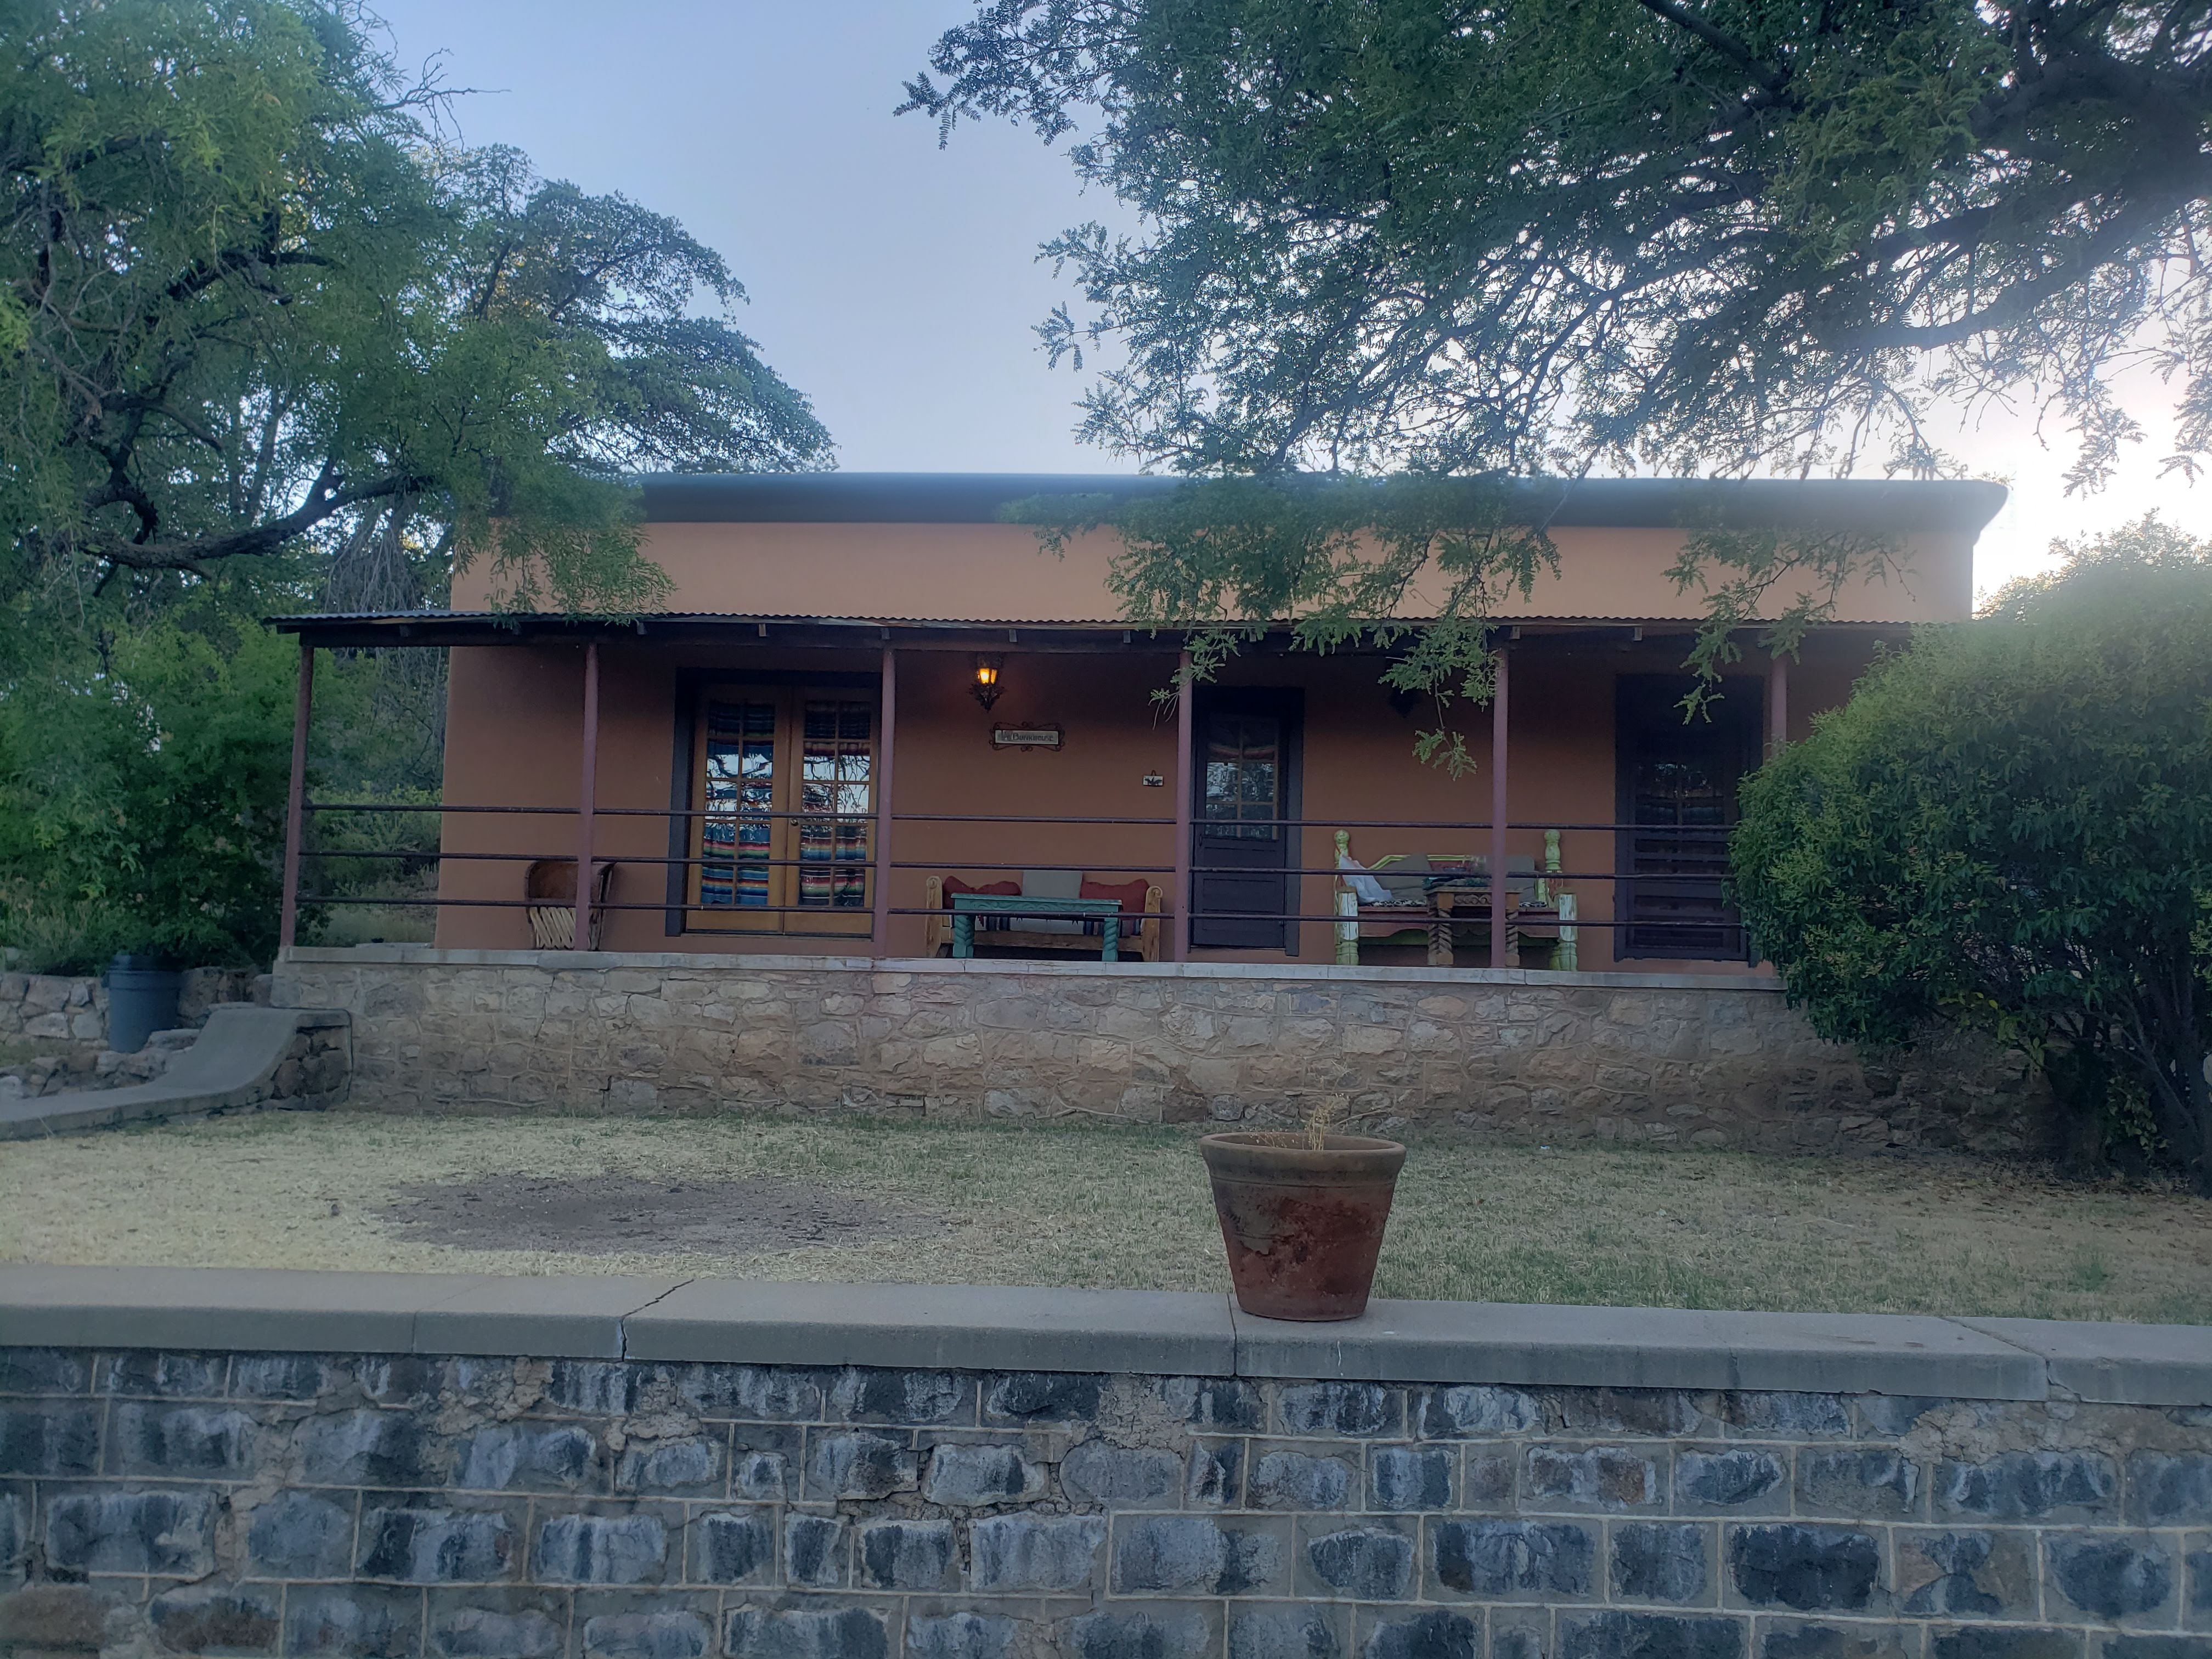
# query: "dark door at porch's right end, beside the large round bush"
1678,789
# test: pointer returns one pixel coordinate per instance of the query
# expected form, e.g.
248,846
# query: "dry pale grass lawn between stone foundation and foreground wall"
1120,1207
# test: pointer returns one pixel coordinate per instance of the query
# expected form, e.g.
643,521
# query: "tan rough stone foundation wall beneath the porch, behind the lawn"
1687,1061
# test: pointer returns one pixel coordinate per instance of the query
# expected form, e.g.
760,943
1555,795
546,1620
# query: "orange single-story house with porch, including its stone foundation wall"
888,811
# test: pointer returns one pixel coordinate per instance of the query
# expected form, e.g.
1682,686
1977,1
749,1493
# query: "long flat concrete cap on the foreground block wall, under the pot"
1098,1331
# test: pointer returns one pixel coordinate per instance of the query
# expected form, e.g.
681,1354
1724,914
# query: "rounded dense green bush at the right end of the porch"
2010,828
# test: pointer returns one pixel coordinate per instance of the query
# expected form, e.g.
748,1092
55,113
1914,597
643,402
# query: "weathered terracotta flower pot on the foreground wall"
1304,1227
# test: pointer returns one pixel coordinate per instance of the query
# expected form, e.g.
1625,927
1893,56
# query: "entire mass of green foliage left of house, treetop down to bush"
271,342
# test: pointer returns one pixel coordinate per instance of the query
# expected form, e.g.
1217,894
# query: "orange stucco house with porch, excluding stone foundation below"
868,691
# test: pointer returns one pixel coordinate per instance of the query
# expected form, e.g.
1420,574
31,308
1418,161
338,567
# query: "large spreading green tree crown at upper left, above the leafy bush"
249,298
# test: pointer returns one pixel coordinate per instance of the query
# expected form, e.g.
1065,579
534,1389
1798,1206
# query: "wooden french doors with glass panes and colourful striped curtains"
786,784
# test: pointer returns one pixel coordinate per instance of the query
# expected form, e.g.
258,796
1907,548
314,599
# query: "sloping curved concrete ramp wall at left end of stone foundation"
244,1058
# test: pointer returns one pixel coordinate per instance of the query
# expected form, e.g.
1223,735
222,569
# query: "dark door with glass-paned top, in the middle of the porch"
1242,853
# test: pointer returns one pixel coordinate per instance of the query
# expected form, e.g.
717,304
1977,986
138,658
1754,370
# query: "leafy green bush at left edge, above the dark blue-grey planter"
143,804
